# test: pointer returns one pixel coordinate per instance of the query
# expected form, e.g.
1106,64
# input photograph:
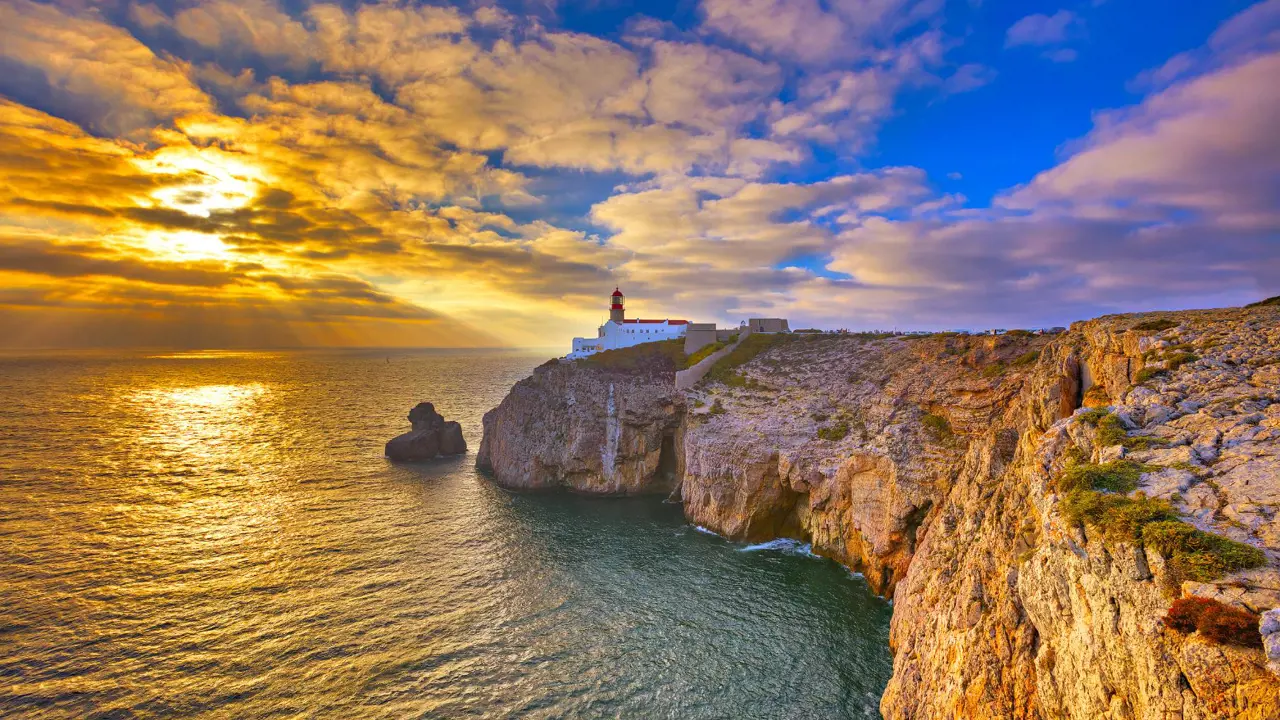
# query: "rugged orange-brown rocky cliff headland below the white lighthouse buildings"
1034,505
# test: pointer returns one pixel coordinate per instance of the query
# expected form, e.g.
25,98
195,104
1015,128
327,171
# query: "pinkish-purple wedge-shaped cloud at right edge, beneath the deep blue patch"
1204,148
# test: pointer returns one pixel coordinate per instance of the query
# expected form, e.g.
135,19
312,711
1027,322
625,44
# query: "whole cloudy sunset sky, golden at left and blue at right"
264,174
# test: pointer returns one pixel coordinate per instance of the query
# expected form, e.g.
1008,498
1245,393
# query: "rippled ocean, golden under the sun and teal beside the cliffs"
218,535
